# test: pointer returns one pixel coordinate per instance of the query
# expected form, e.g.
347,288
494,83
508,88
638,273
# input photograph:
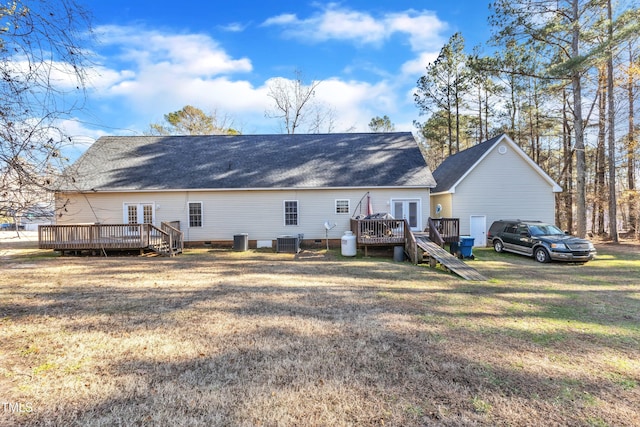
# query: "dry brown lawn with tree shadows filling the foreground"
214,337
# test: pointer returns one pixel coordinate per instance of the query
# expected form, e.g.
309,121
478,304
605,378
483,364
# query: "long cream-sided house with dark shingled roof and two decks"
263,185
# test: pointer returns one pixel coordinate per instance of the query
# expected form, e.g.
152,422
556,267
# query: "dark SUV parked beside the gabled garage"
543,241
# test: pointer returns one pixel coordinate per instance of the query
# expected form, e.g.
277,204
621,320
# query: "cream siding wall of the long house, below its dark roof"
258,213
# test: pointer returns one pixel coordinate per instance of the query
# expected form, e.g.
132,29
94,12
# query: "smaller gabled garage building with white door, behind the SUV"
490,181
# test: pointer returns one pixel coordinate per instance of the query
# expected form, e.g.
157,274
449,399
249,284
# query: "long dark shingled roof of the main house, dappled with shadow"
117,163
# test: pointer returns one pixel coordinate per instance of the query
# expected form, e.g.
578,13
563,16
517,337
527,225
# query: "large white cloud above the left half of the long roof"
154,73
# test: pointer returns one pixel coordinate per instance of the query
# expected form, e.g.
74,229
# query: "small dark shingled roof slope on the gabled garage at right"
454,167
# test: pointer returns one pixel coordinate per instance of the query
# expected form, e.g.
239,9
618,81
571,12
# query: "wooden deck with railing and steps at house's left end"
166,240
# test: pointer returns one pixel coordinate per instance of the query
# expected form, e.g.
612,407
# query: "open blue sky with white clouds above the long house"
154,57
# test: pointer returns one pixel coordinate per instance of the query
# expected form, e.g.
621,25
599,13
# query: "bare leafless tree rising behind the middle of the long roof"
293,100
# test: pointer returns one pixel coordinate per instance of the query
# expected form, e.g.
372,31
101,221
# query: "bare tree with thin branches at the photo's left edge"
43,45
